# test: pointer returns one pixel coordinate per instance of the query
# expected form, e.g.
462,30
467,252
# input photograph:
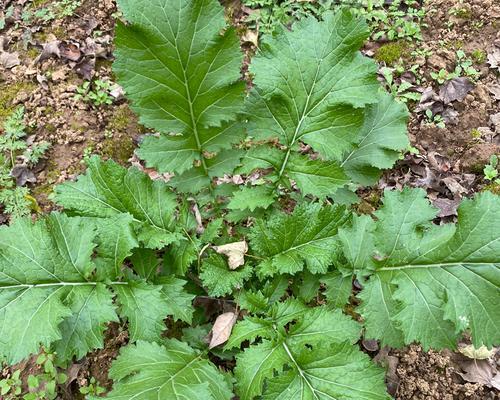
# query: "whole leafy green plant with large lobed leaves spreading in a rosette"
279,253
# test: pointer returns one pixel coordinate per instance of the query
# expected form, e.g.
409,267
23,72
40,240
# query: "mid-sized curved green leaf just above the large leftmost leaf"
107,190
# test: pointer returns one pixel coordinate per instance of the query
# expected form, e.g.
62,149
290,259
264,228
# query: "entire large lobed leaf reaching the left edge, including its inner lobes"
53,292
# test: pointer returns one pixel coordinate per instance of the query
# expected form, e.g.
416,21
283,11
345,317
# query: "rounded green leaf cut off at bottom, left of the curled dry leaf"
170,371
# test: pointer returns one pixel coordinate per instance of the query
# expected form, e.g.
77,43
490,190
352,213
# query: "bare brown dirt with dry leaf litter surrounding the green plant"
55,58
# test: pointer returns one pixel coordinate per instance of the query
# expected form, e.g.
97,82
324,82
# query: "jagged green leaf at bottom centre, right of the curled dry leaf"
315,359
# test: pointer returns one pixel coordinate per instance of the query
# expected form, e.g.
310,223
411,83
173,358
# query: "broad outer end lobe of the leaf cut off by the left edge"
45,281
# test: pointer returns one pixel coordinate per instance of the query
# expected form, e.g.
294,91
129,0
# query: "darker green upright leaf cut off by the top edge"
183,76
